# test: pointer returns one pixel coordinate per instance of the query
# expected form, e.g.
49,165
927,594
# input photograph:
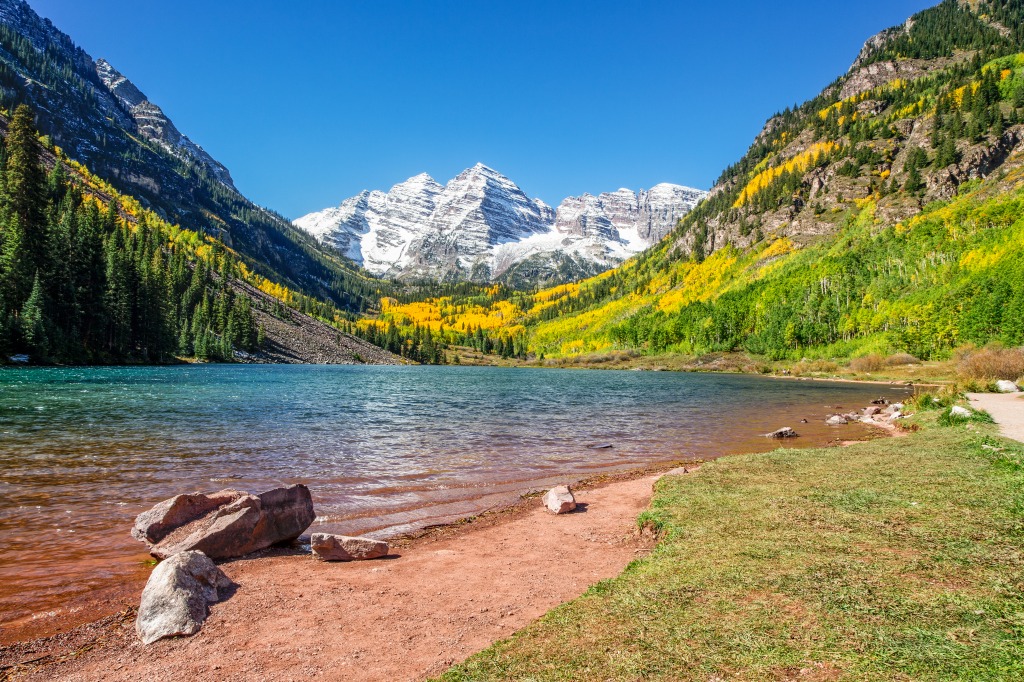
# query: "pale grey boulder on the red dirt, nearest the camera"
178,596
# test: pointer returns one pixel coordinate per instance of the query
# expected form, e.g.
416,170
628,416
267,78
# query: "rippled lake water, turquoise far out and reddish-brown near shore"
383,449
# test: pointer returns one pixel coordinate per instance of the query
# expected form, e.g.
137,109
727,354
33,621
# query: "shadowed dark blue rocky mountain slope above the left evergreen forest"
103,120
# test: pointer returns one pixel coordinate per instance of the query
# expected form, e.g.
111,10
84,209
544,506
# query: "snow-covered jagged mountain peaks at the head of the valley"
482,227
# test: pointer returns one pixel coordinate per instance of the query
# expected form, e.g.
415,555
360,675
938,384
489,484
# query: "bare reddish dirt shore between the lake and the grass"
406,618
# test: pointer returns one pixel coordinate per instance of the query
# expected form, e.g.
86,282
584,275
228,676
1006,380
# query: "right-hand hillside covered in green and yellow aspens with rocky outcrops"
883,216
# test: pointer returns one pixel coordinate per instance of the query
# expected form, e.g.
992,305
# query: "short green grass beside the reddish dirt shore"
897,560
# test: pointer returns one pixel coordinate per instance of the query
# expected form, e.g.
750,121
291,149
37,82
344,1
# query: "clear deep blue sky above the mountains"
309,103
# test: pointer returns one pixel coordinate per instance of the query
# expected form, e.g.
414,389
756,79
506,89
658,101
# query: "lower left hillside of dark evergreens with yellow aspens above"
90,276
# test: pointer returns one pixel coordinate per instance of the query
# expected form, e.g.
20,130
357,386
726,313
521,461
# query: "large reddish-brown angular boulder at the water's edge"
228,524
